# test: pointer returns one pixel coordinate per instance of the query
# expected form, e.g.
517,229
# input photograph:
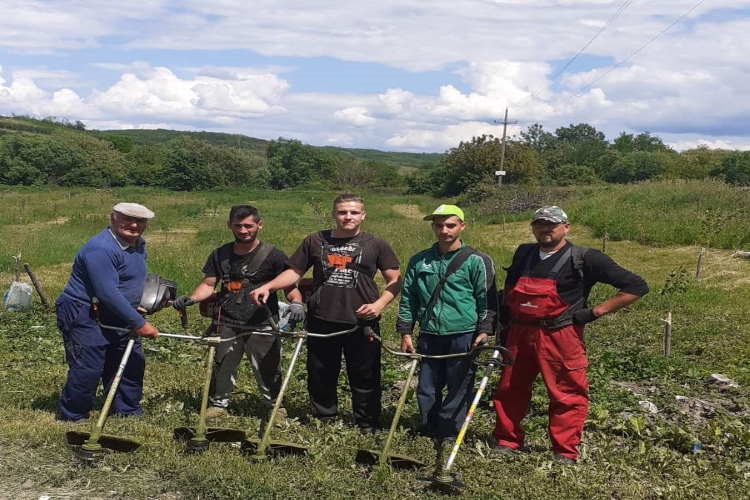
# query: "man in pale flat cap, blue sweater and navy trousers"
110,267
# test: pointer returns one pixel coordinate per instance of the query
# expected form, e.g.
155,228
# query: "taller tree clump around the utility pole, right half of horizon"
575,155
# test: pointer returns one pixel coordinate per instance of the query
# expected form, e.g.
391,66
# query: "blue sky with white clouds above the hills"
409,75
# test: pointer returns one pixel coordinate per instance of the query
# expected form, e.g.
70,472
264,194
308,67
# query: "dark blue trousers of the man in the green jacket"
445,385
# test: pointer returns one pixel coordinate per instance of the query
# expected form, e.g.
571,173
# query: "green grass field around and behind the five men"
628,451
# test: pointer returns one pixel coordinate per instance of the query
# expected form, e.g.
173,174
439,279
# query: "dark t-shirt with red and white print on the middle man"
343,272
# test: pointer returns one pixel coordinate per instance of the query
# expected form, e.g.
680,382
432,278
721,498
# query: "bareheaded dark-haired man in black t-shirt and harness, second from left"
238,267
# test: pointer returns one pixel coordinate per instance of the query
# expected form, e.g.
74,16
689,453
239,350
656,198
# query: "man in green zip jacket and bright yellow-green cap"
449,289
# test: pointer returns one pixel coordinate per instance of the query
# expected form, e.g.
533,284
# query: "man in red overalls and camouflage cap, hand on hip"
545,311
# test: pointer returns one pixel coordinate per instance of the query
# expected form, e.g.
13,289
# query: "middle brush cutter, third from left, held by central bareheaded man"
257,449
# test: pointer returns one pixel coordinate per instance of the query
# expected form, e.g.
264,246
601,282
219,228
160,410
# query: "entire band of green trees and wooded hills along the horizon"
38,152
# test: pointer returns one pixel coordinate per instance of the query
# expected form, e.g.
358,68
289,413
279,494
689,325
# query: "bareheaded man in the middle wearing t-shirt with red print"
344,261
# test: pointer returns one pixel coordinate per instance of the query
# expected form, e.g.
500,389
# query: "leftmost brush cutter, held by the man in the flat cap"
89,447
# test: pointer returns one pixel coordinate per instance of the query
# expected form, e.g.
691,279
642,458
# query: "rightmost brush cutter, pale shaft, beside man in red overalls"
444,481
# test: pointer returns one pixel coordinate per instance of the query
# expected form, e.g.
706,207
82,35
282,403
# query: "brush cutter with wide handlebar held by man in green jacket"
384,457
